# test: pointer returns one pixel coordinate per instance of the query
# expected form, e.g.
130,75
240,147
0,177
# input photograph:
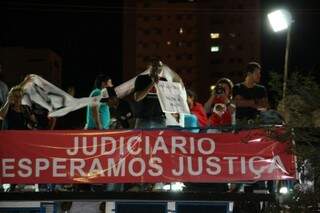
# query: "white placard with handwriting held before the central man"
170,97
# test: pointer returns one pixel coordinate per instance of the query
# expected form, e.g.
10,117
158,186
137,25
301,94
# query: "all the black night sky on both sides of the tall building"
88,36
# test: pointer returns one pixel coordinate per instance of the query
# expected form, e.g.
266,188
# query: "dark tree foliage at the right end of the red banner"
301,110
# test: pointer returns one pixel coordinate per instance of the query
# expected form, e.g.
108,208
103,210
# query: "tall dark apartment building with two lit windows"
201,40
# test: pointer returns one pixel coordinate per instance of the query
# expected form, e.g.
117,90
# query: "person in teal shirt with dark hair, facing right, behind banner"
98,115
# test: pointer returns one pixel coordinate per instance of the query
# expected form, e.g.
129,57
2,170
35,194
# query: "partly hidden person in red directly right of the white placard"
197,109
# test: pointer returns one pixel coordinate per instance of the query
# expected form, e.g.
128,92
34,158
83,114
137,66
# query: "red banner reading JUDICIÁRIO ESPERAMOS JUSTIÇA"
142,156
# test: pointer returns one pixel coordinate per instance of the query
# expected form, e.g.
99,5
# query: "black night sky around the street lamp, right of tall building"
304,45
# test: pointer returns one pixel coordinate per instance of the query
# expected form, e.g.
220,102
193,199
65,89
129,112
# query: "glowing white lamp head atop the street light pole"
279,20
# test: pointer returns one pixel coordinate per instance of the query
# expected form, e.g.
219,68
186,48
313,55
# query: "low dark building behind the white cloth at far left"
19,61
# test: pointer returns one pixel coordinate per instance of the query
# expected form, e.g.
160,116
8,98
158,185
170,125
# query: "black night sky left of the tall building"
87,36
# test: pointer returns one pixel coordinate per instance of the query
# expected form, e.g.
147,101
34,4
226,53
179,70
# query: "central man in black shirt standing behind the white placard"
149,113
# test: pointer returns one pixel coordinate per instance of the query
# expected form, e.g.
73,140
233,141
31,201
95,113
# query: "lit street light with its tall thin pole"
281,20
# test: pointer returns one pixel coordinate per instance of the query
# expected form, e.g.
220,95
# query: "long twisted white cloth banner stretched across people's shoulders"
60,103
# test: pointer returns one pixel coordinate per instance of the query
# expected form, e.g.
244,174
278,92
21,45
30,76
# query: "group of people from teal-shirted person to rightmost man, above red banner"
242,103
